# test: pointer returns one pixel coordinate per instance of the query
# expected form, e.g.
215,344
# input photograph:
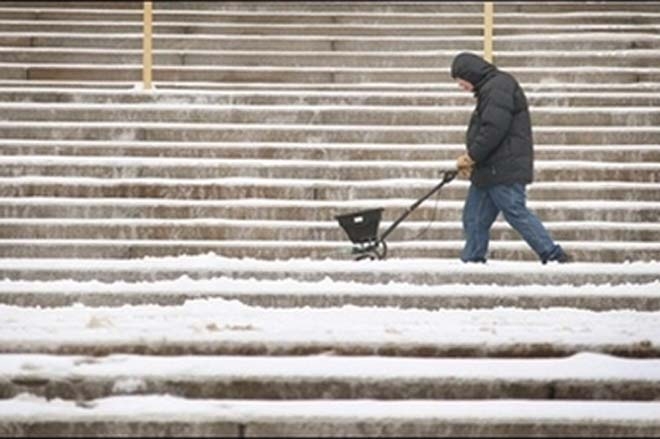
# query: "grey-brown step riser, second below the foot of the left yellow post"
344,116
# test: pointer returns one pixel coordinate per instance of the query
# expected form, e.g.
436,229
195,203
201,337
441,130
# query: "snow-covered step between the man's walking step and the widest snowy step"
599,295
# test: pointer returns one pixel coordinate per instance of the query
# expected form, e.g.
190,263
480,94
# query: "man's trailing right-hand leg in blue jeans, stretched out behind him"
511,200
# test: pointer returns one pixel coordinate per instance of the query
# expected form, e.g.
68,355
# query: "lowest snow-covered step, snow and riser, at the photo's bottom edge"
180,417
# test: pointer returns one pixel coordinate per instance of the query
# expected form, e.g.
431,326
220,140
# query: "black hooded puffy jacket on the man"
499,137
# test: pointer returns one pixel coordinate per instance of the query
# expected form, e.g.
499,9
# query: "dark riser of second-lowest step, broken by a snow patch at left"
329,388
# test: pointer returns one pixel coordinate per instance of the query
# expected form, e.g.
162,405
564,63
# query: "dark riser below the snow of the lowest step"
367,427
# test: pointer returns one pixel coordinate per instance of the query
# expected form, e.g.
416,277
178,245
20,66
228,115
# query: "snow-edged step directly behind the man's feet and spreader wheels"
513,249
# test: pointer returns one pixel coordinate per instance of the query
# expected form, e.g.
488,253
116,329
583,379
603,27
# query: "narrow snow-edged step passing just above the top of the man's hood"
597,40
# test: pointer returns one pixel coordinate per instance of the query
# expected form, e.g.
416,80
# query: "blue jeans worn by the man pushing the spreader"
482,206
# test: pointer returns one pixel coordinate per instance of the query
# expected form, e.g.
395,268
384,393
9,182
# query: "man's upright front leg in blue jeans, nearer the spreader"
479,213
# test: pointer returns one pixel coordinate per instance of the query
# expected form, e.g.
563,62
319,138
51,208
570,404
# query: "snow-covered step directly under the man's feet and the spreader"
378,273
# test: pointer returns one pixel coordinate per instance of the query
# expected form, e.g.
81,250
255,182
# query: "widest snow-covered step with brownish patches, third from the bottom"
221,327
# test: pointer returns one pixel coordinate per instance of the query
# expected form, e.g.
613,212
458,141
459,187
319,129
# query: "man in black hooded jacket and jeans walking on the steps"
499,161
